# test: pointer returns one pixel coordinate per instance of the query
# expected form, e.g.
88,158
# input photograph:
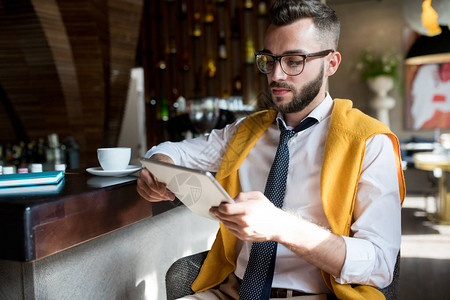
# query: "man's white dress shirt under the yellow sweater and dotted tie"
372,250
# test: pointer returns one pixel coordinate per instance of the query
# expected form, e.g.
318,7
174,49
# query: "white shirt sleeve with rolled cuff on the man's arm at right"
372,249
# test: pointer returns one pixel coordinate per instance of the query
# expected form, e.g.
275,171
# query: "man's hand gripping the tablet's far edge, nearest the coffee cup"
150,188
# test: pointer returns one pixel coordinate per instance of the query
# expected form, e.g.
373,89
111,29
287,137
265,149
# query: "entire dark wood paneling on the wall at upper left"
64,68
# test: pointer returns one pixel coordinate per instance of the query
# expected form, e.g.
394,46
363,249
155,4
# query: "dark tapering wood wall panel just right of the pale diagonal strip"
86,44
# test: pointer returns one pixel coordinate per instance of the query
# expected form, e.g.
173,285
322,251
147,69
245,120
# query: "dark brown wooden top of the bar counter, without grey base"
33,225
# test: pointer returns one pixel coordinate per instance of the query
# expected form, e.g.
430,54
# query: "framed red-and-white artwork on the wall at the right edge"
427,81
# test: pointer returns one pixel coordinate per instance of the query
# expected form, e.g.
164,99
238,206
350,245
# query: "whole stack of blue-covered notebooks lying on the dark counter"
31,183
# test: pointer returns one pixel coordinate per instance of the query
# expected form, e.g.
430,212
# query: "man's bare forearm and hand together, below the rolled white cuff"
254,218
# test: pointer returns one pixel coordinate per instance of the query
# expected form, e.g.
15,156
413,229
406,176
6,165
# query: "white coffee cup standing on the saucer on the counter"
116,158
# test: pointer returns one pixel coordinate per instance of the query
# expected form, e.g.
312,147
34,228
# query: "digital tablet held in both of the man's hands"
197,189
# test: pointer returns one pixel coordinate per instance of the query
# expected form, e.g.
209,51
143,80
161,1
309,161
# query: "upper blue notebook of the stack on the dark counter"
26,179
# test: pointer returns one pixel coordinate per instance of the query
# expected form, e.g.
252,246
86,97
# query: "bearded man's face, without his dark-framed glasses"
293,93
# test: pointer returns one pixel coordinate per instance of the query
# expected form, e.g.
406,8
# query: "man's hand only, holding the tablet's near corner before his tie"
251,218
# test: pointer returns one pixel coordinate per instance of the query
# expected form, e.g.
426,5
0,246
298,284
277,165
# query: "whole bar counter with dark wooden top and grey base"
93,237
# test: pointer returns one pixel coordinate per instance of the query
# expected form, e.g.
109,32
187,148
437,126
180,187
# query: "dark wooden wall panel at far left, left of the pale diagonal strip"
25,67
